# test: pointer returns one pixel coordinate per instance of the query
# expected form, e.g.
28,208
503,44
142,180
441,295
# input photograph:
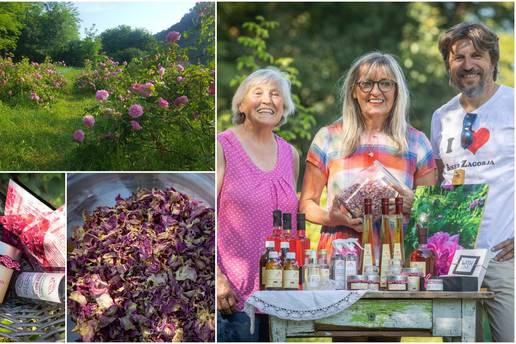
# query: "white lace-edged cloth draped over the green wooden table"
301,304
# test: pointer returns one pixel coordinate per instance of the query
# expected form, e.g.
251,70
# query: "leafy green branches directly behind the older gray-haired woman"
257,55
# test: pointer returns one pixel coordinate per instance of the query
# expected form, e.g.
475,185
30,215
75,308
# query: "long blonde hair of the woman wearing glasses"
353,121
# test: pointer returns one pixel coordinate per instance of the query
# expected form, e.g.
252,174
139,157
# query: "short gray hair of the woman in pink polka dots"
259,76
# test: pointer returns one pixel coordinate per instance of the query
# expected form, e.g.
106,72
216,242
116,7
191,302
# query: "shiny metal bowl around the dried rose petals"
86,191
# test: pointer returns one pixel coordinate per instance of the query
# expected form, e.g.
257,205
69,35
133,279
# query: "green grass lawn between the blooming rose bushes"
40,138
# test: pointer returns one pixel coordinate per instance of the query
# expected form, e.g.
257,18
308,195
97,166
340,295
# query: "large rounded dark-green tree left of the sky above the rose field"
49,27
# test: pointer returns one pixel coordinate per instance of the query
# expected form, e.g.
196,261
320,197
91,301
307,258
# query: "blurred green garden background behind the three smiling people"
315,43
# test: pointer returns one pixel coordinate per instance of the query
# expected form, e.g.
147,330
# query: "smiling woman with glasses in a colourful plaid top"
373,127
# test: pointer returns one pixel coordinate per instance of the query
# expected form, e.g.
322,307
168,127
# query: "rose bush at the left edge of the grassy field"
25,82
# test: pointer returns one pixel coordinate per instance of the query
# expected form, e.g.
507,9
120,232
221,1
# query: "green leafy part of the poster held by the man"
456,211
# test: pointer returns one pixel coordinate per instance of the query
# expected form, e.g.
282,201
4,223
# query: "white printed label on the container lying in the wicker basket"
39,286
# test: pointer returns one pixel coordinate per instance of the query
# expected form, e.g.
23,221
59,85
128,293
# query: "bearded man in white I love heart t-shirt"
473,143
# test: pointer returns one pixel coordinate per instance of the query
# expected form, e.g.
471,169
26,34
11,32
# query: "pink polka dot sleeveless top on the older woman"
247,198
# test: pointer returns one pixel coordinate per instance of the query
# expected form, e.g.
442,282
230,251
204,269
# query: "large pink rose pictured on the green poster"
444,246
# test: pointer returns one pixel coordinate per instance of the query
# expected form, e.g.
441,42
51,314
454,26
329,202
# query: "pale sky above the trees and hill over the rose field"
155,16
